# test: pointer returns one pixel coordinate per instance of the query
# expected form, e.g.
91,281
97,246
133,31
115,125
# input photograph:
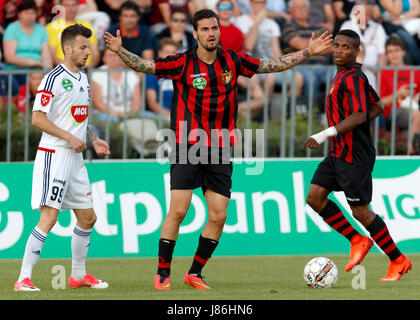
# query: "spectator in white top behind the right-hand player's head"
372,35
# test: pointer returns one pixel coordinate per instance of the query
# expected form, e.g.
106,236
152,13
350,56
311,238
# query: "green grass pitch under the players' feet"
231,278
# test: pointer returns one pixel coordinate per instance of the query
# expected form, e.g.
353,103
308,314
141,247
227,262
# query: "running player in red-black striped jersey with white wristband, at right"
350,106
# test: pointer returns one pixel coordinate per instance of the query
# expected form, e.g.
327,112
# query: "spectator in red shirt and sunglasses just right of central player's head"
231,38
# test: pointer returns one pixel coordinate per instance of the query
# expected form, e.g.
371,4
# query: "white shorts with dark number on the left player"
60,180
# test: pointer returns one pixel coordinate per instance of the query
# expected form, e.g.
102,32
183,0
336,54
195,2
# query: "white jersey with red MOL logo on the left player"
64,96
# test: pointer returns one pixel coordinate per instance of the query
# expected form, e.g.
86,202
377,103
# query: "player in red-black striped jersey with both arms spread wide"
204,102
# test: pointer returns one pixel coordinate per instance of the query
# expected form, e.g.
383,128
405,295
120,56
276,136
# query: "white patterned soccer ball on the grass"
320,272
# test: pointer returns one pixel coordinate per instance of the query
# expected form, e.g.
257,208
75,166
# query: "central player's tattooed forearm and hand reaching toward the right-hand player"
290,60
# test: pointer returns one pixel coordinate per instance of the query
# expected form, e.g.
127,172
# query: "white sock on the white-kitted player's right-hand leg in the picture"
79,247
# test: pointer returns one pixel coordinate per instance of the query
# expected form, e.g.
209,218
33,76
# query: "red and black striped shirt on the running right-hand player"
351,92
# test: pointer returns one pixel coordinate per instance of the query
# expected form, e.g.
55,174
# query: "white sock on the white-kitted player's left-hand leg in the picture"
32,251
